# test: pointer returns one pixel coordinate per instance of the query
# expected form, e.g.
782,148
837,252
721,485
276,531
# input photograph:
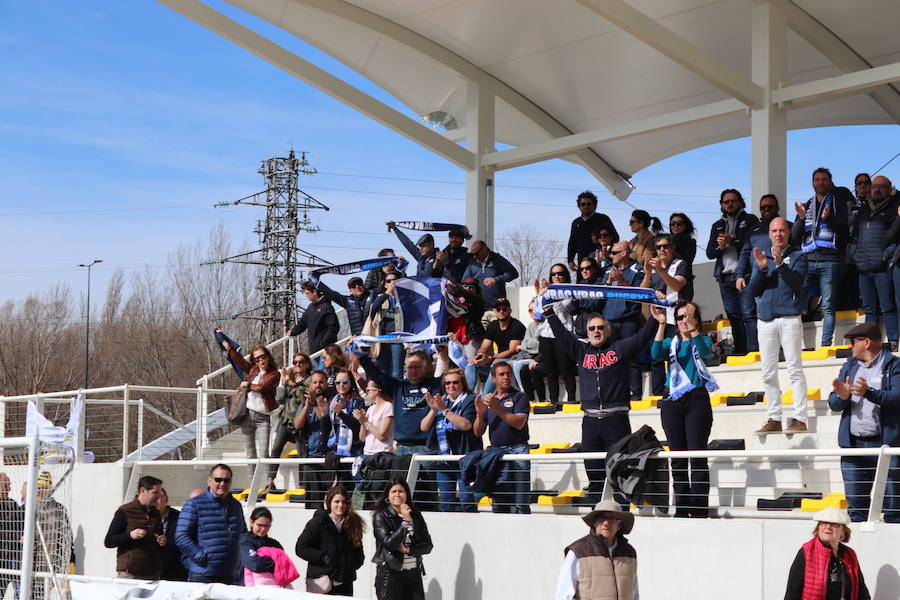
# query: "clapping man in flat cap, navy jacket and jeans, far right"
867,391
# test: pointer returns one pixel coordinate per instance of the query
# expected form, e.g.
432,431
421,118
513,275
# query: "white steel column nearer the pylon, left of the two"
480,180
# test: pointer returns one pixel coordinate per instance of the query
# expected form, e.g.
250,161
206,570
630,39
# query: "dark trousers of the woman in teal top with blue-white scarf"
687,423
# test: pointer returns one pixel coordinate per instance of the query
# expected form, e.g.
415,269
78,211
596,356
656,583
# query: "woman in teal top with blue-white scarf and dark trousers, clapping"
686,412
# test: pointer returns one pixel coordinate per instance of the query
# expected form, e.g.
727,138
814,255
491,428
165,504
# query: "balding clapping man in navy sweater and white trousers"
777,285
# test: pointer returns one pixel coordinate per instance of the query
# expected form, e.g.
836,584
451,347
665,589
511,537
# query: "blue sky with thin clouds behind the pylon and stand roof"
122,123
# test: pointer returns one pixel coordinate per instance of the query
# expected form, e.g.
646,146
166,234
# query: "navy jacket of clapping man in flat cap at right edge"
888,398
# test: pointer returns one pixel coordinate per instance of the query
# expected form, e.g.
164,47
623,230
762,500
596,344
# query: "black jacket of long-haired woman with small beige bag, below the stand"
327,550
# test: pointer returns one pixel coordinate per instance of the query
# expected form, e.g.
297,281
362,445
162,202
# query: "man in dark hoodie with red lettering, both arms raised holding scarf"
603,368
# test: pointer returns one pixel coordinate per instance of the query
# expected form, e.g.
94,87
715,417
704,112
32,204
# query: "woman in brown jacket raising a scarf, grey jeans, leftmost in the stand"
262,380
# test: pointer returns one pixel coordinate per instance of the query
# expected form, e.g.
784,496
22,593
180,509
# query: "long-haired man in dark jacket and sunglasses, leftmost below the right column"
727,238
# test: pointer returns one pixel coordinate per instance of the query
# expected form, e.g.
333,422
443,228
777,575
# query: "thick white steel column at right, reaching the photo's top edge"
768,125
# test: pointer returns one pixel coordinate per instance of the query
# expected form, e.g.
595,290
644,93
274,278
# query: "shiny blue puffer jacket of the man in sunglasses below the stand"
208,535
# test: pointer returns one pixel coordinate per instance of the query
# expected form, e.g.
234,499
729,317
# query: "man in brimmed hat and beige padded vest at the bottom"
602,565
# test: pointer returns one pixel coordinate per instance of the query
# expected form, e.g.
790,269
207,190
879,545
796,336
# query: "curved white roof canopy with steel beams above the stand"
613,84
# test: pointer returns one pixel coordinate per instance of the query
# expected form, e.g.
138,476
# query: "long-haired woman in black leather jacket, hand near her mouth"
401,539
